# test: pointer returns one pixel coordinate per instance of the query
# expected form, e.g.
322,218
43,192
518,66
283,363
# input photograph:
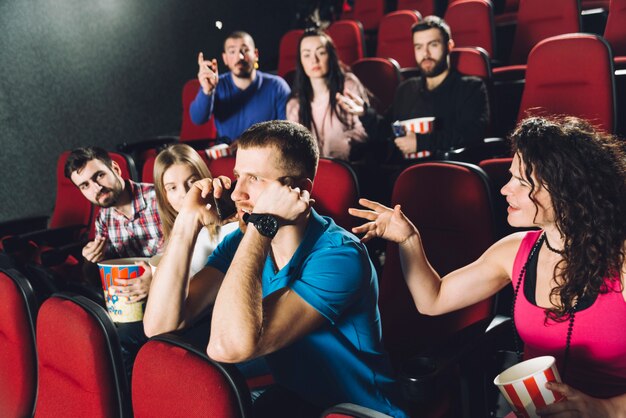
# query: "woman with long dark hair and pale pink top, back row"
325,98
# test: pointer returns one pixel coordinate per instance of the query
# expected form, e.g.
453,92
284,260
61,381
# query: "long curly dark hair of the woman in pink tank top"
584,170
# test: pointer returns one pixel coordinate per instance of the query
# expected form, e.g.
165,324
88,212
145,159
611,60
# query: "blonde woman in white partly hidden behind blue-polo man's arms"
176,168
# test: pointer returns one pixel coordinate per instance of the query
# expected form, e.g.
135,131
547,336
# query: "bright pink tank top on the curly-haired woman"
597,358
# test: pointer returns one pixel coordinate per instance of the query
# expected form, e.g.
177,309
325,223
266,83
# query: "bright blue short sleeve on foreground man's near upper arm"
333,278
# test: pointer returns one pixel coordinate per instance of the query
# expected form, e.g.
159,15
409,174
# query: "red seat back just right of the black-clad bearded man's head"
471,23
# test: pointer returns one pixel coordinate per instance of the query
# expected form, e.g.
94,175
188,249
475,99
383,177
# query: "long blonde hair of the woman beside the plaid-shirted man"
177,154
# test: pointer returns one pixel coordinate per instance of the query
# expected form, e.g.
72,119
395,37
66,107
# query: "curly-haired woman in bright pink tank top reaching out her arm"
569,180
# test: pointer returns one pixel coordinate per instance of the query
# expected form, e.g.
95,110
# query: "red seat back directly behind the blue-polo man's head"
335,189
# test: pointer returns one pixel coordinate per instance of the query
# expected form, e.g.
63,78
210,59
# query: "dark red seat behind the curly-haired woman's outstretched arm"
450,204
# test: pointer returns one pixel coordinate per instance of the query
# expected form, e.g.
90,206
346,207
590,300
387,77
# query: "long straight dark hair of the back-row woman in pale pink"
335,79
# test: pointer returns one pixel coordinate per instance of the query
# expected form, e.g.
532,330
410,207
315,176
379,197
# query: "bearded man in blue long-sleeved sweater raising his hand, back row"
242,97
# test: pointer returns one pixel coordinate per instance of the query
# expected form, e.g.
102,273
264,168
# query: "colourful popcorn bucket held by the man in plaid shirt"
119,307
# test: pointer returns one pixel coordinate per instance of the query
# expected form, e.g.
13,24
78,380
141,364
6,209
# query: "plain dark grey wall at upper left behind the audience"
101,72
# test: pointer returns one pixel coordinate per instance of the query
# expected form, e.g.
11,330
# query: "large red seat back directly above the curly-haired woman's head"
571,75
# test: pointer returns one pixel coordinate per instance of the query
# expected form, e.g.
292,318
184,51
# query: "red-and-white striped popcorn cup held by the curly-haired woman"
524,385
